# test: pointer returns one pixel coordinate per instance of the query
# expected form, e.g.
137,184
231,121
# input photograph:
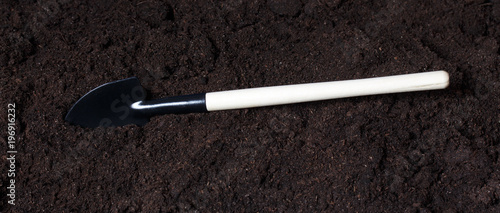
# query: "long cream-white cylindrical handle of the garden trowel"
288,94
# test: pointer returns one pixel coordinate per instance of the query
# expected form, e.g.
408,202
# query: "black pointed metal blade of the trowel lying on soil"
109,105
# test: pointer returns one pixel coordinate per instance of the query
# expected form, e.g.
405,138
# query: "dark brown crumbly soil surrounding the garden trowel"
416,152
